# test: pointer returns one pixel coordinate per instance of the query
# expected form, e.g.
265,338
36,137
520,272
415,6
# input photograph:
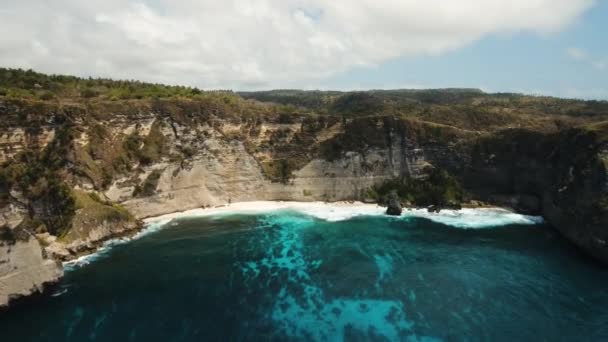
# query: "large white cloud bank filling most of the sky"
250,44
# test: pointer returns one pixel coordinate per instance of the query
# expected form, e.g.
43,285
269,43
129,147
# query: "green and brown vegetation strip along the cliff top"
468,109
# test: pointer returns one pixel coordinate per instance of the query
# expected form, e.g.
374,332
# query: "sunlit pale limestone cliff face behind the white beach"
228,163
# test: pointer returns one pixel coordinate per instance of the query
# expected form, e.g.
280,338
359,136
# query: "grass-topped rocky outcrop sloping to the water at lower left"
28,264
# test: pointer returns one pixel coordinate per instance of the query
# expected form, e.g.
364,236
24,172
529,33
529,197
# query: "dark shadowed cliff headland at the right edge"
561,176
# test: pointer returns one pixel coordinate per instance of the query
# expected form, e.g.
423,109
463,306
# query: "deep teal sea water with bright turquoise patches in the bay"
287,276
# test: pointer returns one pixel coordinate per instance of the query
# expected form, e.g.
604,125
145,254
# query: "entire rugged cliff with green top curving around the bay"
81,167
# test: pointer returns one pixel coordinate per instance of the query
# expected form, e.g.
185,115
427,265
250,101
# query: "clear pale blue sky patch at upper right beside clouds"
525,62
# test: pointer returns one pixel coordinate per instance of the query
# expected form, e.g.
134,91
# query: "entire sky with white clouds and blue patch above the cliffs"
543,47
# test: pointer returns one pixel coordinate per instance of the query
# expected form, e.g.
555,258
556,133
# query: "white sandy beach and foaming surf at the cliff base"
465,218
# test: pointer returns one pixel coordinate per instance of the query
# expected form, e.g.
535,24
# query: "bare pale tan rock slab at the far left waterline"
24,269
